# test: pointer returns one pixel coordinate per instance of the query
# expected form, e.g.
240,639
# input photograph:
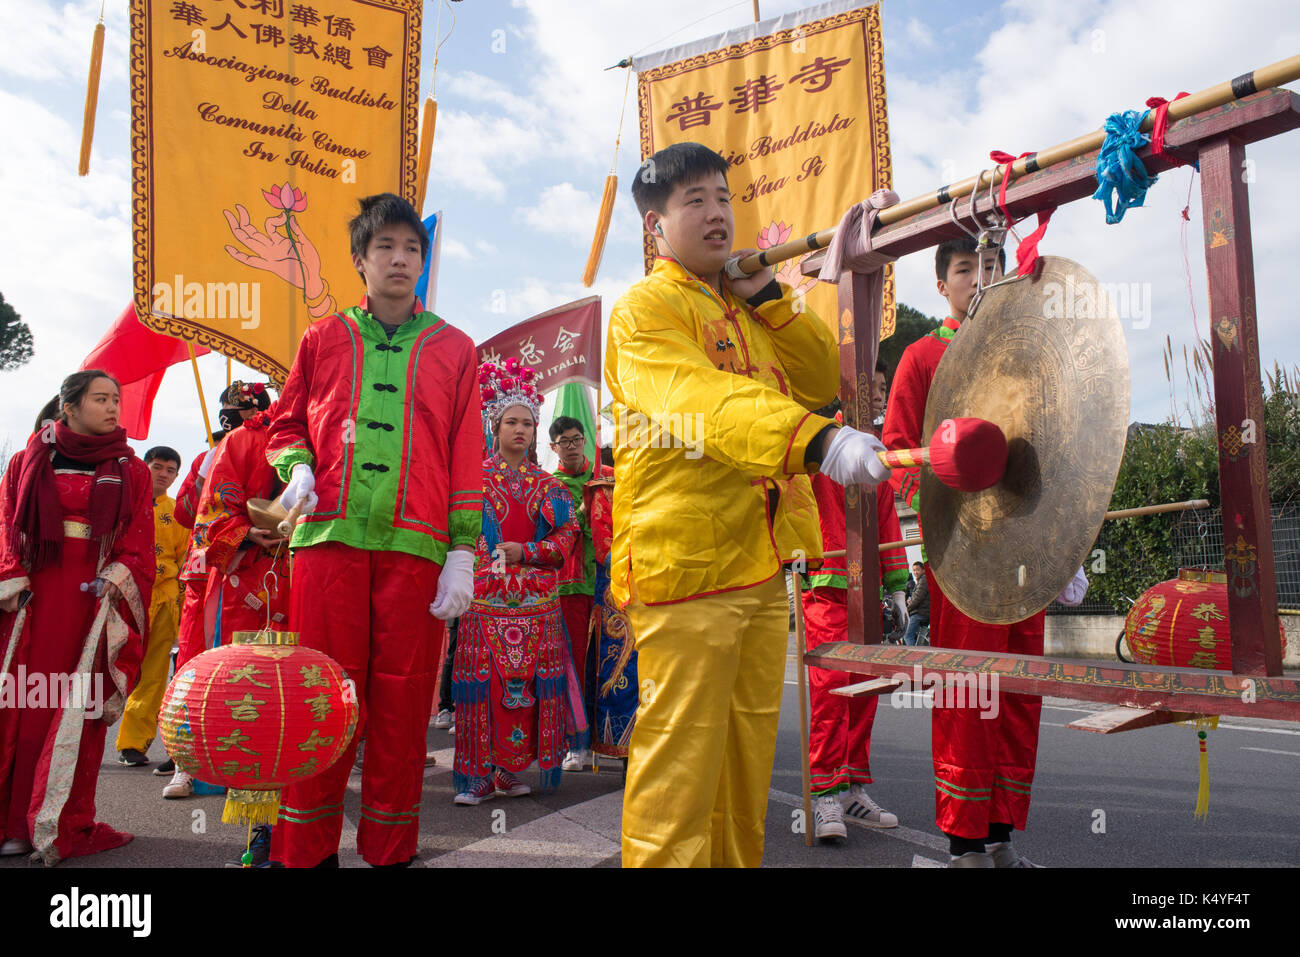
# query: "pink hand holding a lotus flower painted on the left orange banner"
283,249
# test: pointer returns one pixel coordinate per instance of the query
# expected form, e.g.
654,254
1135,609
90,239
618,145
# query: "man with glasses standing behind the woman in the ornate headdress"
578,577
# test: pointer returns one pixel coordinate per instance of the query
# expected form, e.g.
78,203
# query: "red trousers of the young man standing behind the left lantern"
369,612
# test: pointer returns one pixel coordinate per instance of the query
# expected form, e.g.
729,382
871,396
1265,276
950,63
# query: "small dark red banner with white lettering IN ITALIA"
564,345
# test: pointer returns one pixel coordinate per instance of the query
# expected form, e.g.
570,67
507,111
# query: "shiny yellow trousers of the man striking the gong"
700,763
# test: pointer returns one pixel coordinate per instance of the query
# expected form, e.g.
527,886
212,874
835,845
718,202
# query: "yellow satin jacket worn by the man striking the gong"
712,413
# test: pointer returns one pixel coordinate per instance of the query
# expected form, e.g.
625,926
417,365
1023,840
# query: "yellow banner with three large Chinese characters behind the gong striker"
798,106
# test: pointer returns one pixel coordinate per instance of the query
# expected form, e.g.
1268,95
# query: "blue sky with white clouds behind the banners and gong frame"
526,135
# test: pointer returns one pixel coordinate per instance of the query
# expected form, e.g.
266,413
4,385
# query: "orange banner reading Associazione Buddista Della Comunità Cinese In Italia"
257,125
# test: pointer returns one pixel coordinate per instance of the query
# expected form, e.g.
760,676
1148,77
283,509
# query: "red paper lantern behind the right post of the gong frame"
1184,623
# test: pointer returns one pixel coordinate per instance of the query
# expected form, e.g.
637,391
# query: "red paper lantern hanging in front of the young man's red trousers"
258,717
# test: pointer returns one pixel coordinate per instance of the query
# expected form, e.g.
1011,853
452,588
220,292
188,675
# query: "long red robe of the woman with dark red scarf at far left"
51,748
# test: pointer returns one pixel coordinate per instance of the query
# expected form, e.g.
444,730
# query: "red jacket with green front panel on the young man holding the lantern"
392,430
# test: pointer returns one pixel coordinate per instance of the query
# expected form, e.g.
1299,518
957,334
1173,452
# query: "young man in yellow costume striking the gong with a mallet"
713,383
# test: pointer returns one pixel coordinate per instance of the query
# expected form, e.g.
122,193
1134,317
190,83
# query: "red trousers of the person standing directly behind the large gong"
983,757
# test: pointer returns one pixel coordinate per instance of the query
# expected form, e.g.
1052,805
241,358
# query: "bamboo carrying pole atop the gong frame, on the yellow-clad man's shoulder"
1263,79
